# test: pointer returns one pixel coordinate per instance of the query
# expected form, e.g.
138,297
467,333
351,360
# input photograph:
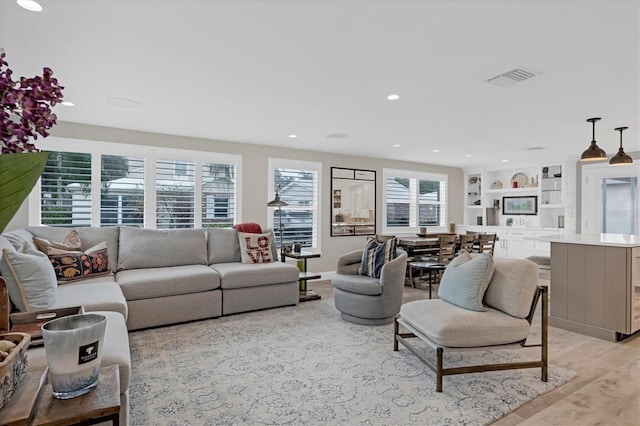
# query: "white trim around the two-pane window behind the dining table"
414,204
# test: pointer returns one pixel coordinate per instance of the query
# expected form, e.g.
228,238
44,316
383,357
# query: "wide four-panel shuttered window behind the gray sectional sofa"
158,188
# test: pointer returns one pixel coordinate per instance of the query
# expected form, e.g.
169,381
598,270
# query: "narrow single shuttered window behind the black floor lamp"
298,182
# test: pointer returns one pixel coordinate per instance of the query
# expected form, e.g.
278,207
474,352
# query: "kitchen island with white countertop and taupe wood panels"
595,284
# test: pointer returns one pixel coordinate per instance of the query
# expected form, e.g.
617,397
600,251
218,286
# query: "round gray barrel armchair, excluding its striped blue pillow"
366,300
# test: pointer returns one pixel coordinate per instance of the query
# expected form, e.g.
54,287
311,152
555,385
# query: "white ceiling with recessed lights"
256,71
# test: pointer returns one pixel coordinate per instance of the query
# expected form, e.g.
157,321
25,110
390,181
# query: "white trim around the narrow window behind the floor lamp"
316,166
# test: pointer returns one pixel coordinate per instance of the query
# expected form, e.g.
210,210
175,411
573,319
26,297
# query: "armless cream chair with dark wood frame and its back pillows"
484,303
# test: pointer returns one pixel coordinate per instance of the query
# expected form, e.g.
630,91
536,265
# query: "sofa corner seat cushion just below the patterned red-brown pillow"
99,294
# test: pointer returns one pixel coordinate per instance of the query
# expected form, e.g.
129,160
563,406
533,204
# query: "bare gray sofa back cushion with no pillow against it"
156,248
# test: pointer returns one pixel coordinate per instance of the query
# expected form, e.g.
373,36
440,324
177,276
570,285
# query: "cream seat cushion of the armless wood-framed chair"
452,326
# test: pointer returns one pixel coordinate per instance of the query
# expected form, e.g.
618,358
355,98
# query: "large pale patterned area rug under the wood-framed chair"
304,365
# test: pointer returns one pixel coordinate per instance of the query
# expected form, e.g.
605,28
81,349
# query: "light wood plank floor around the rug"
606,390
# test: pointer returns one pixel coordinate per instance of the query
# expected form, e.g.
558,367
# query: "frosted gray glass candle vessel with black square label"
74,346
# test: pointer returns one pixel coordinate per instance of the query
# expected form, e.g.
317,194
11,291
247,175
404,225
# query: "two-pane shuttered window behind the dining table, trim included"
414,199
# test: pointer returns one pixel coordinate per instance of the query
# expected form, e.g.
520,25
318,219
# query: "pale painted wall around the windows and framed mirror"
255,171
